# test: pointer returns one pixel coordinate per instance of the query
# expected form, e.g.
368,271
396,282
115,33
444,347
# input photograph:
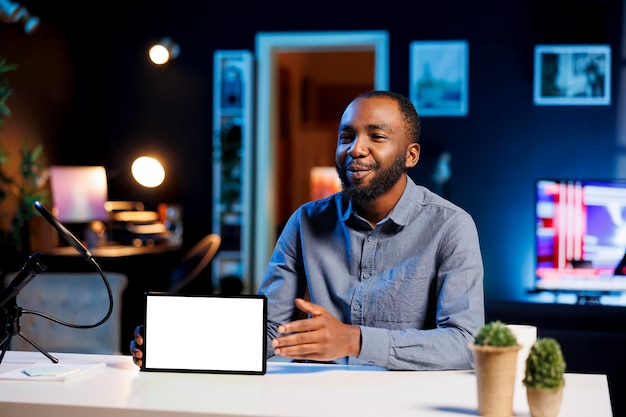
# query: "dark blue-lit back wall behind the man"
118,105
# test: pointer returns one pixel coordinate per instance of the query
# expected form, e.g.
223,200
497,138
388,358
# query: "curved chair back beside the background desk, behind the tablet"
194,262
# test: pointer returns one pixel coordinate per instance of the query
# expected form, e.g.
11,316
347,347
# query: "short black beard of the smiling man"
383,180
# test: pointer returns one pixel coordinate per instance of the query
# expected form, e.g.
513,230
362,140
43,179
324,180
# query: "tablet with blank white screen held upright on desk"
205,333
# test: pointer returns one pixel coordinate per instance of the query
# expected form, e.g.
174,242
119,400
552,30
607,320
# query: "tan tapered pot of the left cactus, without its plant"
495,376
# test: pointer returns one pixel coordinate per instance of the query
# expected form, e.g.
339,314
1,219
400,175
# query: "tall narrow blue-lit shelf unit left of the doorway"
232,142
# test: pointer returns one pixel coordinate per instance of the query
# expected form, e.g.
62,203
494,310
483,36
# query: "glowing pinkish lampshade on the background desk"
79,193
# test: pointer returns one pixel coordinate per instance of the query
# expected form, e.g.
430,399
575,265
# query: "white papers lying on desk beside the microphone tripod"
52,372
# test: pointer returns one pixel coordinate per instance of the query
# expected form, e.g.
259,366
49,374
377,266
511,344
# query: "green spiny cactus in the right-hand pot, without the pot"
545,365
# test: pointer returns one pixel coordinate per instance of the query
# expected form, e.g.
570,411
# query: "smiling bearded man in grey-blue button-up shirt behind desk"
393,271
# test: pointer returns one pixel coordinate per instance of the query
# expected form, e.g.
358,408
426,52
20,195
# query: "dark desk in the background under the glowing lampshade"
148,268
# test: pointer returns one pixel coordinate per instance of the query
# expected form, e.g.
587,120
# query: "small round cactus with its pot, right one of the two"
544,378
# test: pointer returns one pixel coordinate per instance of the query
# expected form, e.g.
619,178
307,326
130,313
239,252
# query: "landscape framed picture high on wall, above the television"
572,75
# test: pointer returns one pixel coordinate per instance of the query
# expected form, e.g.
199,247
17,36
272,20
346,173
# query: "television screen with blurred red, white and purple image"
580,234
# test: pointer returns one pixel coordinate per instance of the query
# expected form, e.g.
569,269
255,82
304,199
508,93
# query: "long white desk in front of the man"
287,389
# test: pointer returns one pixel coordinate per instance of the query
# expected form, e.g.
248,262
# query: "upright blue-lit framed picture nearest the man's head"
438,78
